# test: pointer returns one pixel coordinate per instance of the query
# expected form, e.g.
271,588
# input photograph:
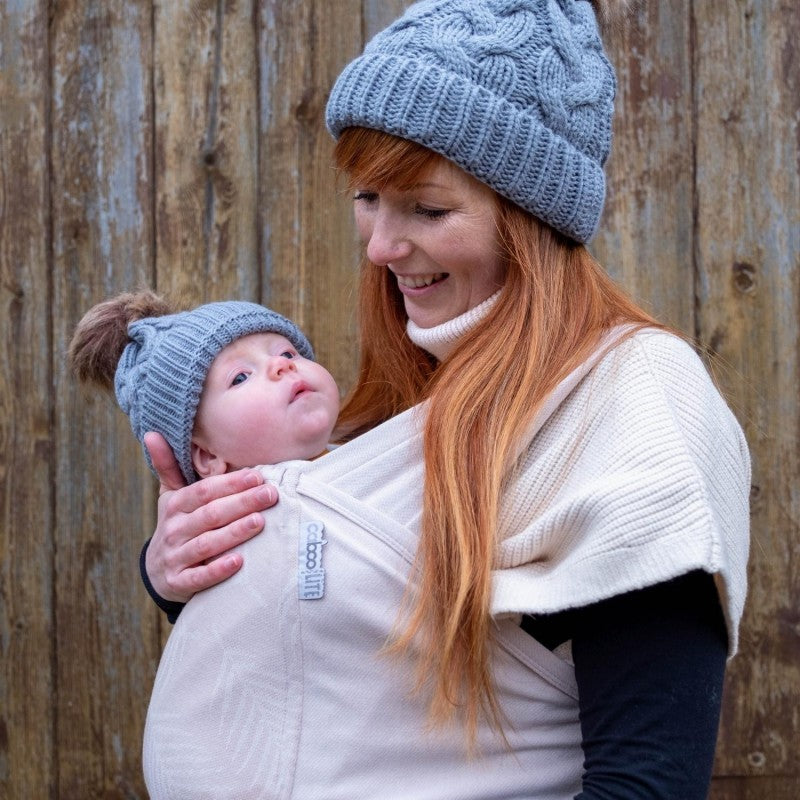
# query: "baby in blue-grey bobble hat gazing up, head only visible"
229,384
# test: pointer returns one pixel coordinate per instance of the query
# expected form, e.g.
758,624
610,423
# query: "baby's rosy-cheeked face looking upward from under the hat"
263,403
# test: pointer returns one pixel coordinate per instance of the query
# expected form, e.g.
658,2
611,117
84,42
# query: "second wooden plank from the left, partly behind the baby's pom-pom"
106,636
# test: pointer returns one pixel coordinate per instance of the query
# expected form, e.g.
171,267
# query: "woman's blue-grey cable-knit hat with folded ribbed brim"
519,93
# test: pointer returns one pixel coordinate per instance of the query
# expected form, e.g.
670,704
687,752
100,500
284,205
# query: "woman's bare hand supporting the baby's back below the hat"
199,524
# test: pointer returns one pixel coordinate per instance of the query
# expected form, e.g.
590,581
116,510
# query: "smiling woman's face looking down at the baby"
438,239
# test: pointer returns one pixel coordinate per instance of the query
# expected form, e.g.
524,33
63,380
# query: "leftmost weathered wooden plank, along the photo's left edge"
27,747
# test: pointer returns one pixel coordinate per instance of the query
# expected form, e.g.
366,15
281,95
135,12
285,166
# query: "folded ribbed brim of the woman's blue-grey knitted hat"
507,148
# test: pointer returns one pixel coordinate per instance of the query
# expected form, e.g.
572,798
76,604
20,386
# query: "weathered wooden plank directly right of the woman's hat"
645,238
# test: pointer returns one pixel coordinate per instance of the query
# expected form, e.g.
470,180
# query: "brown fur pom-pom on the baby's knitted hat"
102,334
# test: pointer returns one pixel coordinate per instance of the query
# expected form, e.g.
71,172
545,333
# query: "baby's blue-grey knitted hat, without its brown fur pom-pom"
162,371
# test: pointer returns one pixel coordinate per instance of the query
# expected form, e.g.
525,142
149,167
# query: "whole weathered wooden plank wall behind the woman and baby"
181,145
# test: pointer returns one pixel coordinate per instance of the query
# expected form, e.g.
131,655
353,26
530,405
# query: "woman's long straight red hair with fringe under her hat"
554,306
